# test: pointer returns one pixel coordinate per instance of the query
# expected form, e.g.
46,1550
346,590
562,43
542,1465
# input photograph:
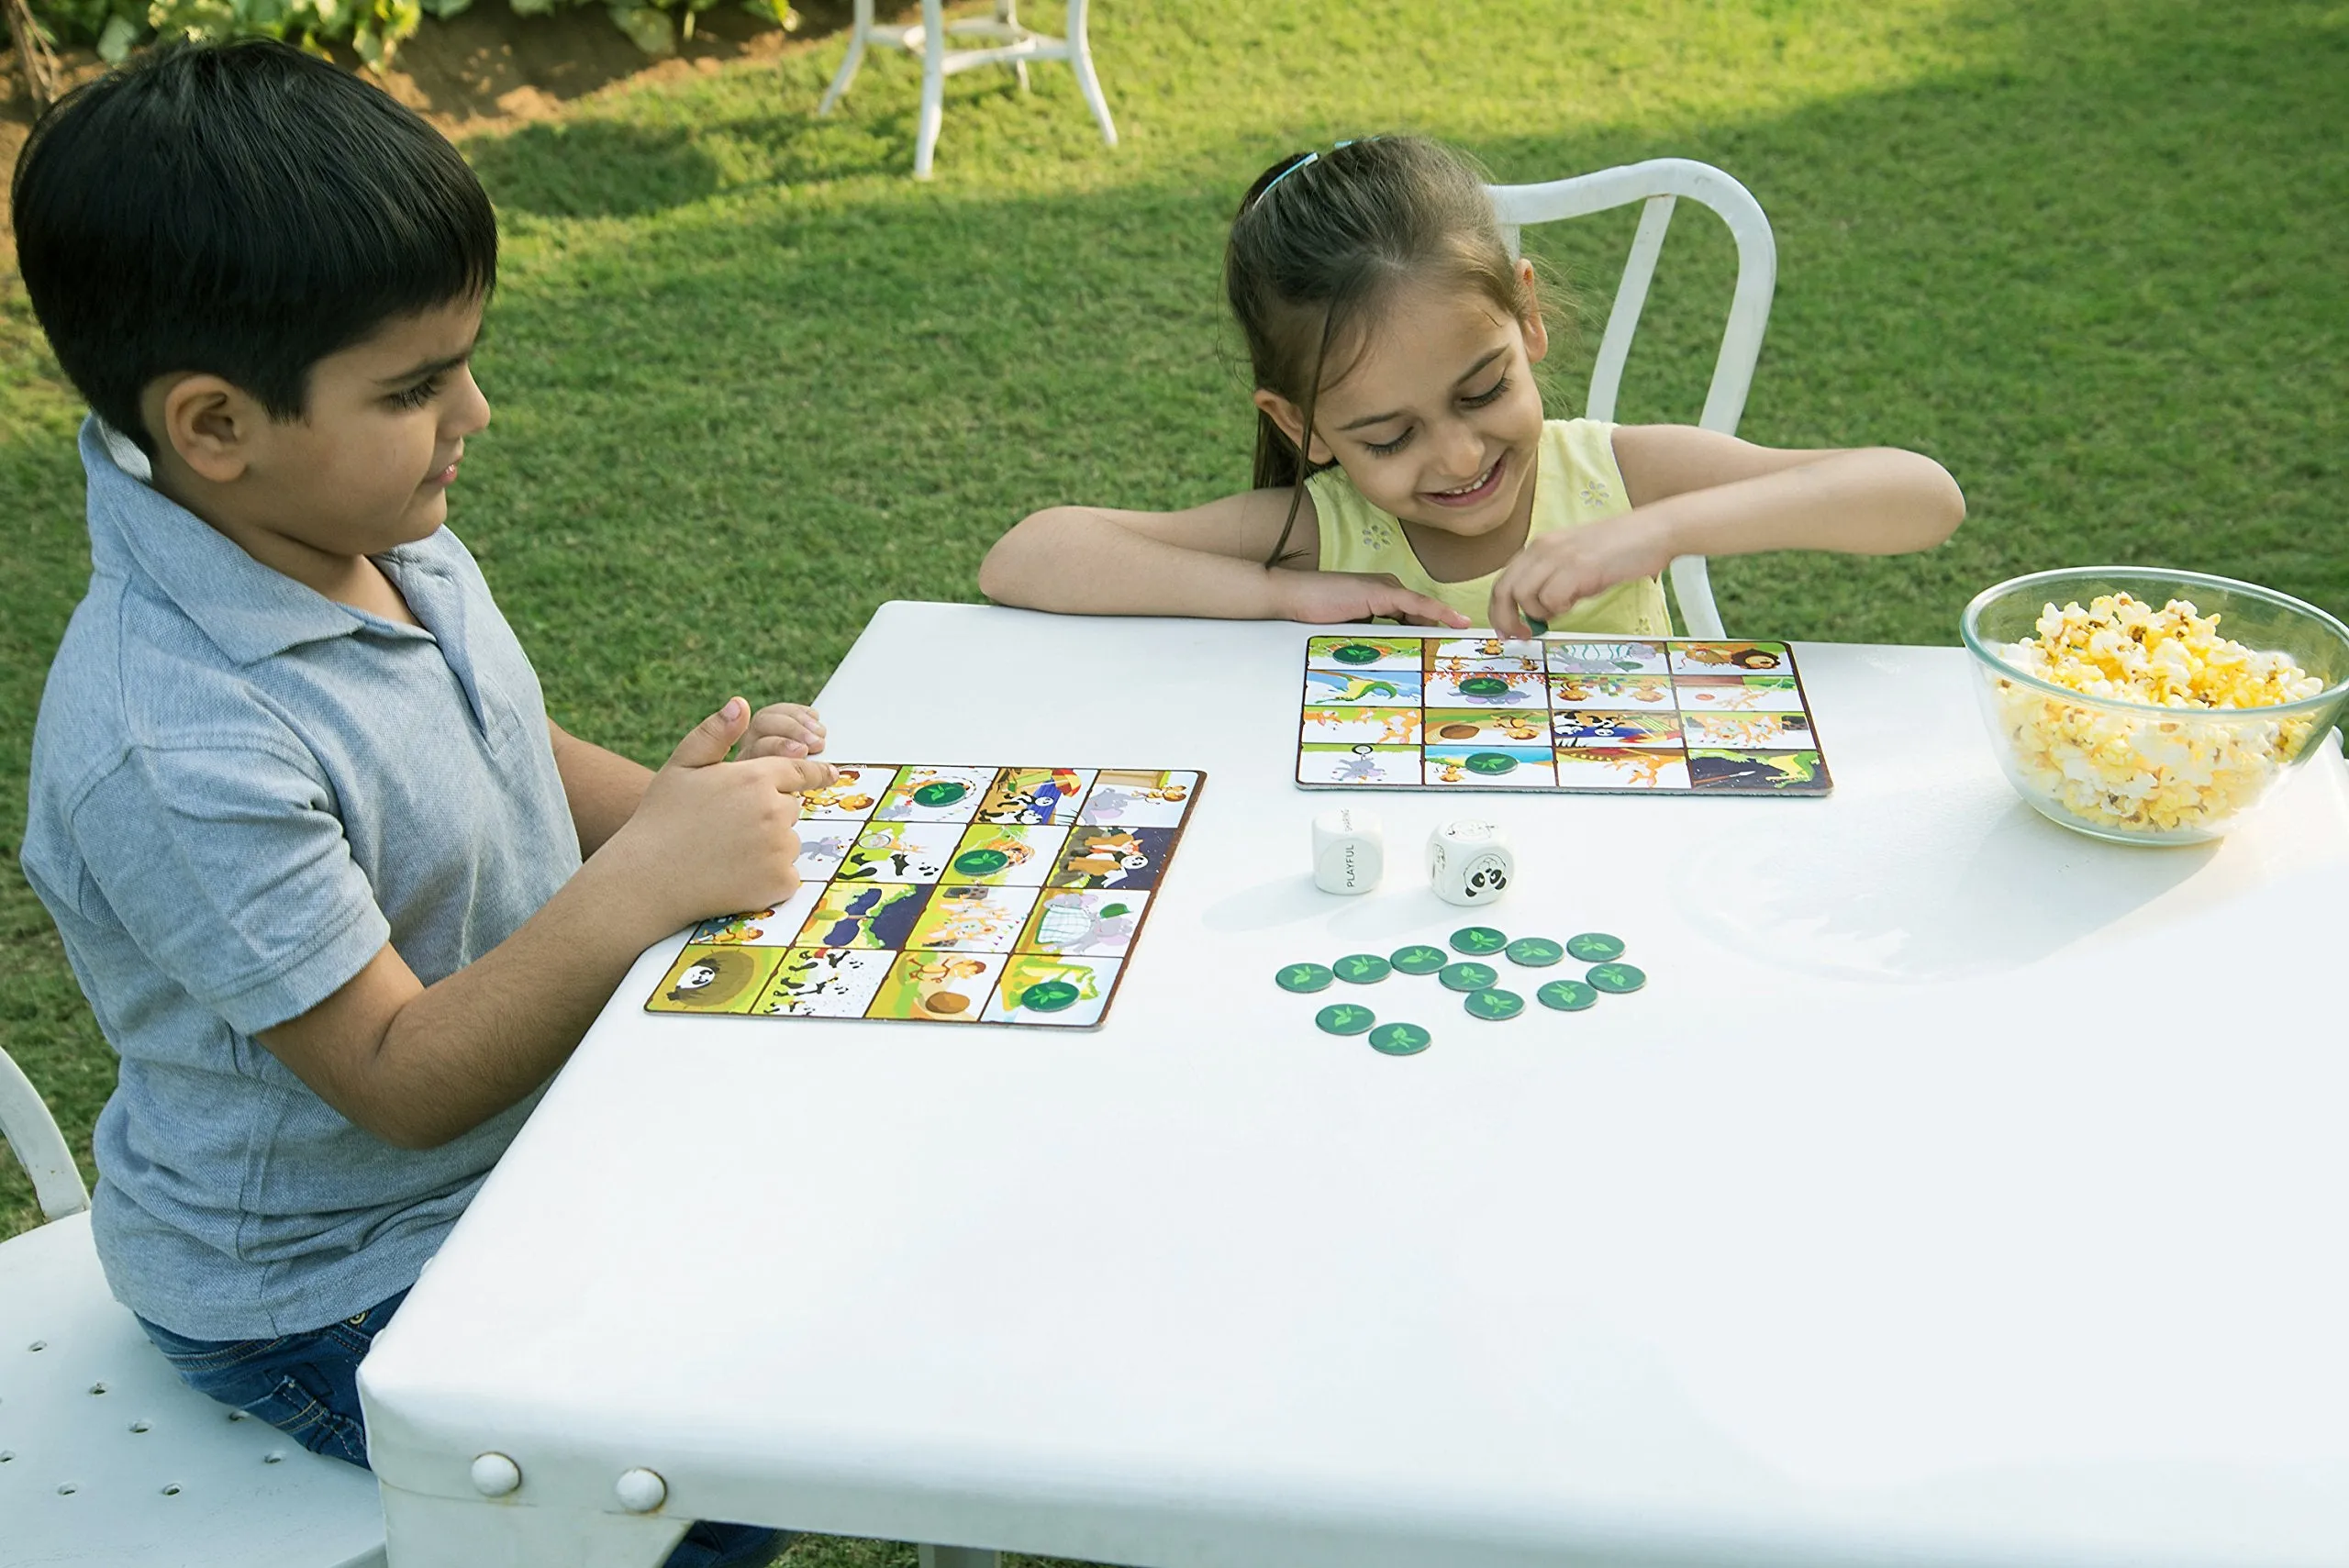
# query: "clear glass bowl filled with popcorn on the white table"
2139,771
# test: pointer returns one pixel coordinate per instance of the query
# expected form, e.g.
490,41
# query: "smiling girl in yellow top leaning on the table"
1404,464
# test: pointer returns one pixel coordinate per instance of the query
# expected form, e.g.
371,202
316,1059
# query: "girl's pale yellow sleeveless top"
1575,482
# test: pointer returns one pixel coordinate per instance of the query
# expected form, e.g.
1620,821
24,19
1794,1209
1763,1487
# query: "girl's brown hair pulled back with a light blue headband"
1319,243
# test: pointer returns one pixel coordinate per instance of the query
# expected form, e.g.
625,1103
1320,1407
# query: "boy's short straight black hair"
241,212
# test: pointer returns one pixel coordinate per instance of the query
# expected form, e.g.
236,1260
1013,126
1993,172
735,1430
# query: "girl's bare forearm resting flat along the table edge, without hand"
1079,562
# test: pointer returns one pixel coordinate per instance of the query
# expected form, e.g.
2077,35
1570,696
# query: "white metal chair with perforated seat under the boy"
105,1454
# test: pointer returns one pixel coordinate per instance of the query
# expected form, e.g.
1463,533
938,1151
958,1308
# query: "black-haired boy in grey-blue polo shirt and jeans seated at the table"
311,842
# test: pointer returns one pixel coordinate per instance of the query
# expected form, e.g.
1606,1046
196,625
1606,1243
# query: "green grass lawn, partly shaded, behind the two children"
753,381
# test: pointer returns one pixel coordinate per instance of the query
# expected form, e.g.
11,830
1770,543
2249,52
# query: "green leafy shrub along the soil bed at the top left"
375,29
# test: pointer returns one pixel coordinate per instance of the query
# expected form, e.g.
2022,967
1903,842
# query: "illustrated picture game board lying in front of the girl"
1559,712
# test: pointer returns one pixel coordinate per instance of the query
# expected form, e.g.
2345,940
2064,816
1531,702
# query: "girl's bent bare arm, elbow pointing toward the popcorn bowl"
1873,501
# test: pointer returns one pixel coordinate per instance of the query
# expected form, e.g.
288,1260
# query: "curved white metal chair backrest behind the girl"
1662,182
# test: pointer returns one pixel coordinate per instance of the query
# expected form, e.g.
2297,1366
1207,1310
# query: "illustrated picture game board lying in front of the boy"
950,895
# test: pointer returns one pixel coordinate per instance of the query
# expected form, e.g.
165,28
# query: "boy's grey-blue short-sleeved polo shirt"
241,792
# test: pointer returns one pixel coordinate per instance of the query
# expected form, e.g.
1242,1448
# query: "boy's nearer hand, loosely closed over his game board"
715,837
